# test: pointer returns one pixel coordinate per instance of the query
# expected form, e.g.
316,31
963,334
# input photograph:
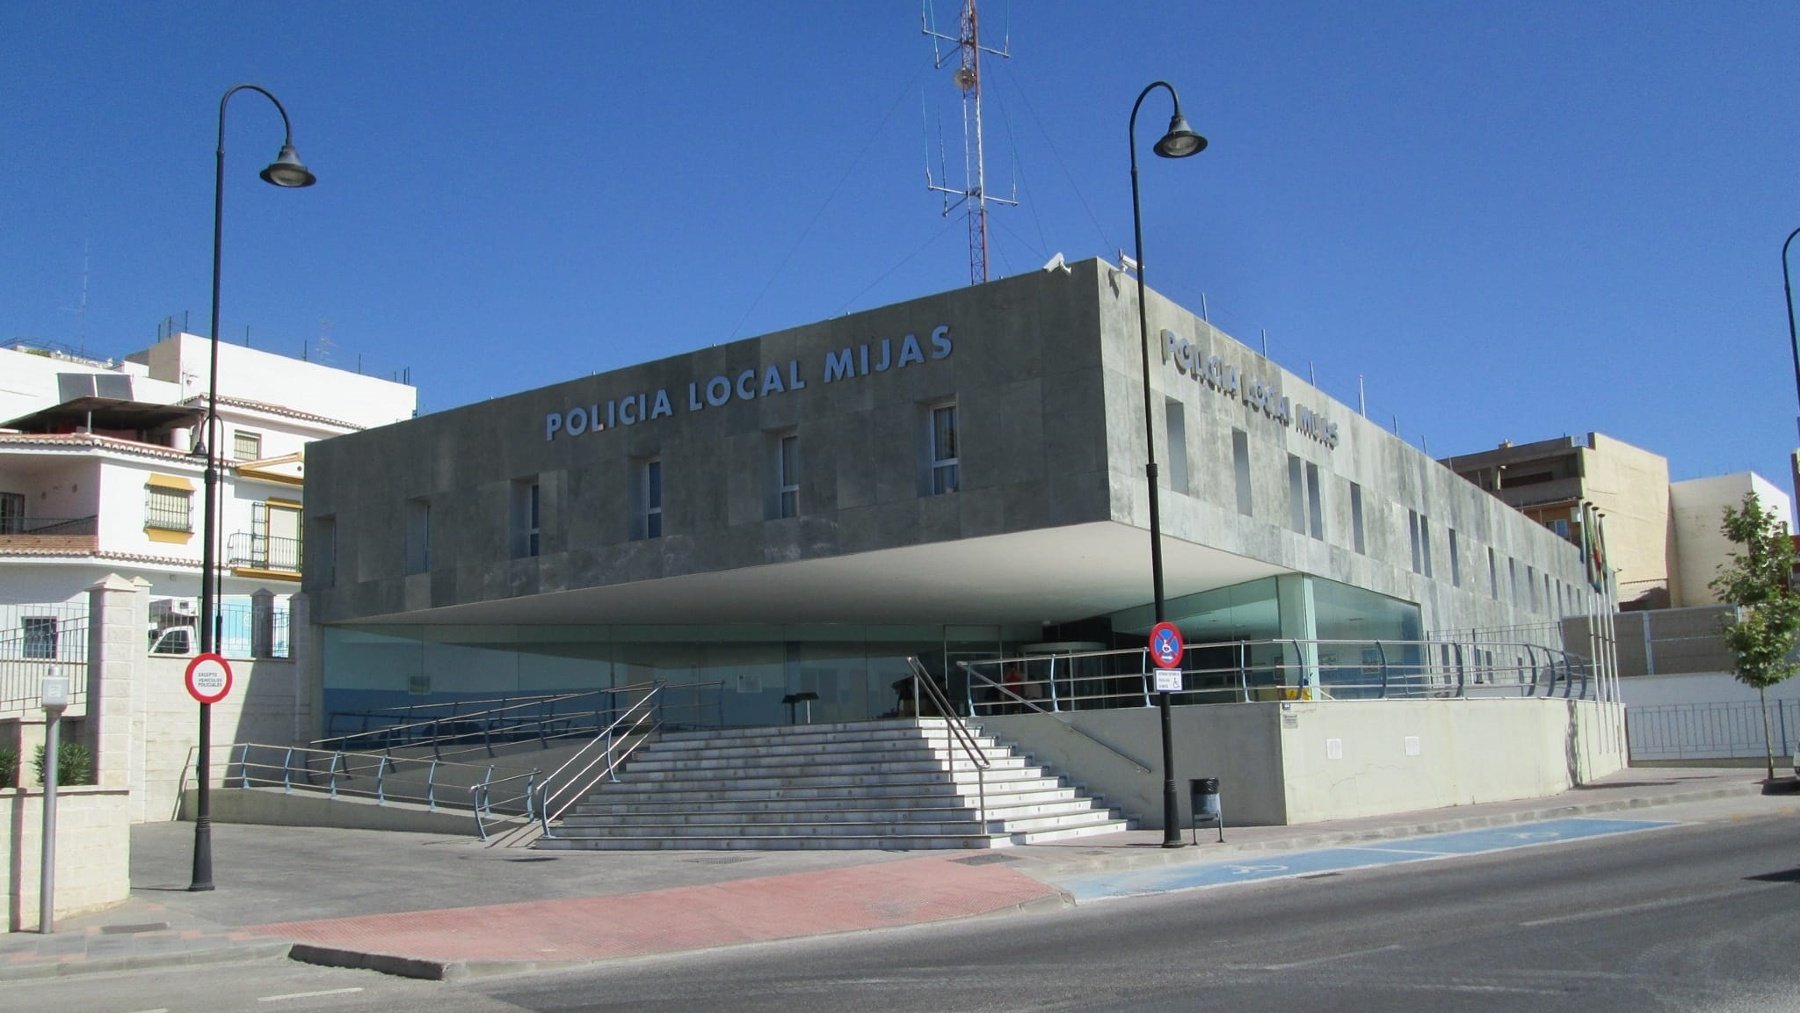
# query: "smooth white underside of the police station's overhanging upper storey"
1030,577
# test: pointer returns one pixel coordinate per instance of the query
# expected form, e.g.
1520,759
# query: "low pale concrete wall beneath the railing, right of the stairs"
1297,764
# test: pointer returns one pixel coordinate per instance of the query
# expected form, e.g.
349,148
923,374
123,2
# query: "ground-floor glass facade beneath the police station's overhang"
741,676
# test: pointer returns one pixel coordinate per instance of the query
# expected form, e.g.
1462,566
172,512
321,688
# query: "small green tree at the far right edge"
1767,623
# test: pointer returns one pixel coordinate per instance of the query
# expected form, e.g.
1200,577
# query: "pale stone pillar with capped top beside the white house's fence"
118,623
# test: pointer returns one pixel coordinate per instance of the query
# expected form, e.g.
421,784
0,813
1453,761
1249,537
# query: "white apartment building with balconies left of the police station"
100,471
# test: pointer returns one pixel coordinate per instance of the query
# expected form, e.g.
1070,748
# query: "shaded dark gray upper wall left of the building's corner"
1021,366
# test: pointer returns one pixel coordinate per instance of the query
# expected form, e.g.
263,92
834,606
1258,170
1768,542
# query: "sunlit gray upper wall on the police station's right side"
1394,478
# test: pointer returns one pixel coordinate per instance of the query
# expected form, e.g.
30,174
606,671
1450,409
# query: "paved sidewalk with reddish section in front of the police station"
444,908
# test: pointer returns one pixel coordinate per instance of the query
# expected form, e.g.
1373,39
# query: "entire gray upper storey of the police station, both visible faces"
1045,370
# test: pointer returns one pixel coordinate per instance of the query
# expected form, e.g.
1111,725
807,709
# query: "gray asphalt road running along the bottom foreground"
1700,917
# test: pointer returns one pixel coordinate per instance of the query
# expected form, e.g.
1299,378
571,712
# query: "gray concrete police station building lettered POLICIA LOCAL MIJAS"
958,478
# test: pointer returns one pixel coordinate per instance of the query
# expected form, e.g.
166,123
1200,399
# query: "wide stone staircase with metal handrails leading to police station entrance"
890,785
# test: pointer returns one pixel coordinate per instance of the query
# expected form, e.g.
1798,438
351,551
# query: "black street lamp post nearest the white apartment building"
285,172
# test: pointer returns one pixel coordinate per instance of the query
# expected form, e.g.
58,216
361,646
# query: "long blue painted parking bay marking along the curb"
1277,866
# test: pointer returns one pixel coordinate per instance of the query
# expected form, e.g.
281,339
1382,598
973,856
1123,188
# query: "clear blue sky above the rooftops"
1513,220
